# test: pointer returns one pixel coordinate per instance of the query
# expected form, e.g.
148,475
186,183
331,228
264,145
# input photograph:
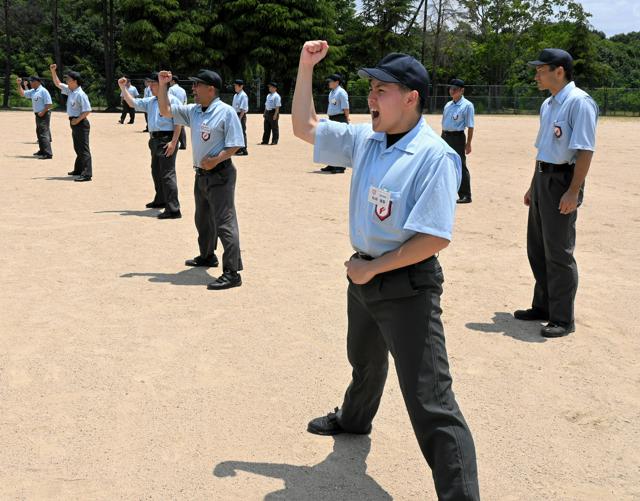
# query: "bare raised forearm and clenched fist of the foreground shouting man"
303,112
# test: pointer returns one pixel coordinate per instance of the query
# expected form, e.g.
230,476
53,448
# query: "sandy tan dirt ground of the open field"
122,377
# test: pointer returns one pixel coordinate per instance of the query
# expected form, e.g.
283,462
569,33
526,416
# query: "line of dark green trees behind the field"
485,42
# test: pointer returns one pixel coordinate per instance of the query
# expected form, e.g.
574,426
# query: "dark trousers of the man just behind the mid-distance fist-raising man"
163,172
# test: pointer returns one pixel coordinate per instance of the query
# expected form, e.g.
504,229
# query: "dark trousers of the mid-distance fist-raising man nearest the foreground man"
215,215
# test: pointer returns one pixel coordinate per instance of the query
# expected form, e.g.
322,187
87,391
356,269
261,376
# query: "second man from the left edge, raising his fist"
78,109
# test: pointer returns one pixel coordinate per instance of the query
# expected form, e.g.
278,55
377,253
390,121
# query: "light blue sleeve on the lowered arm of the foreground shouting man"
436,193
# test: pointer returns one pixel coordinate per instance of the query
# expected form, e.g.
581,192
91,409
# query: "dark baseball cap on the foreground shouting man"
401,69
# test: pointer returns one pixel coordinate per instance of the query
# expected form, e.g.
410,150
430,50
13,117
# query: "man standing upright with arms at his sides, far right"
566,142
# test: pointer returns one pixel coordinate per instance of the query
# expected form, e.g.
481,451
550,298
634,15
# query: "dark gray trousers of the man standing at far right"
551,239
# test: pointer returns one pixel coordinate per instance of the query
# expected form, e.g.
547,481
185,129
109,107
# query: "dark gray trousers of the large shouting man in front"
399,311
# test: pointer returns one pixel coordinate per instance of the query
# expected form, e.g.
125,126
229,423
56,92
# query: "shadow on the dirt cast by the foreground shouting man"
342,476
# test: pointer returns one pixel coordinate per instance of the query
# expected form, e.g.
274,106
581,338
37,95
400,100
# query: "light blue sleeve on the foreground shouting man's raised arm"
335,143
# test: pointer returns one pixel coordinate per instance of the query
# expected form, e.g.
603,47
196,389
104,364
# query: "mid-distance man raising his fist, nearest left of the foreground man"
216,134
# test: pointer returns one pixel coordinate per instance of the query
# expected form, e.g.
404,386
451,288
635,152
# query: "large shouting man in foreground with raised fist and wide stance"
401,213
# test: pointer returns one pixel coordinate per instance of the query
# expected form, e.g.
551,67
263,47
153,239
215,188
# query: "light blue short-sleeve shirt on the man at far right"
567,124
